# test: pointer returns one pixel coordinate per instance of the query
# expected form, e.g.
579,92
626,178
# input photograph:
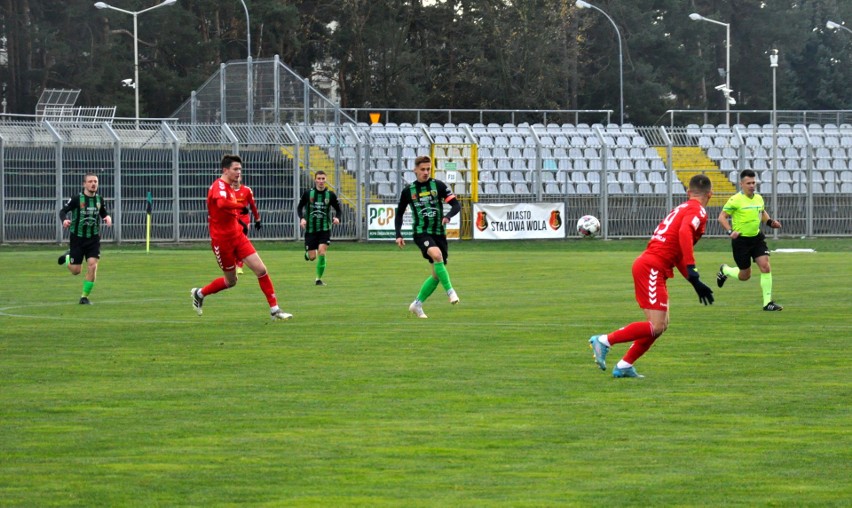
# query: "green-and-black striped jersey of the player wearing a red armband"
427,207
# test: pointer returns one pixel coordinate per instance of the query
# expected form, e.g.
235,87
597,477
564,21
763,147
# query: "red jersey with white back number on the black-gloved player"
674,238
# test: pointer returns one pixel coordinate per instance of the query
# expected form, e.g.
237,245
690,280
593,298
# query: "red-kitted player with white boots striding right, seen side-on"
230,243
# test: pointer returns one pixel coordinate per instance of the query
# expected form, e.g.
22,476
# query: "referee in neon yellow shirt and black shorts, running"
747,242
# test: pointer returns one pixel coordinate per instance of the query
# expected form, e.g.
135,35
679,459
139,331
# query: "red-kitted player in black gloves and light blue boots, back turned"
670,246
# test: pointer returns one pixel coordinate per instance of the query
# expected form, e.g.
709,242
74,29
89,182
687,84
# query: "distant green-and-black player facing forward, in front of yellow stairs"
314,211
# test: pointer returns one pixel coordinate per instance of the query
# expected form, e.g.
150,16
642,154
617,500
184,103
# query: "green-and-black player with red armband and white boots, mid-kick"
426,197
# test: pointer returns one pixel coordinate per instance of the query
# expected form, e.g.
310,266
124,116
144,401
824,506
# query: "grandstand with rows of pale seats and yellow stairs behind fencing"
626,175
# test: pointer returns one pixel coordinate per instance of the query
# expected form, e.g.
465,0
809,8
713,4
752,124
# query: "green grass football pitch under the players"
135,400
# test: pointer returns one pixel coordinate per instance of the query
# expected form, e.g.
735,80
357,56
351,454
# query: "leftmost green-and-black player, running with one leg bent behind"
87,209
